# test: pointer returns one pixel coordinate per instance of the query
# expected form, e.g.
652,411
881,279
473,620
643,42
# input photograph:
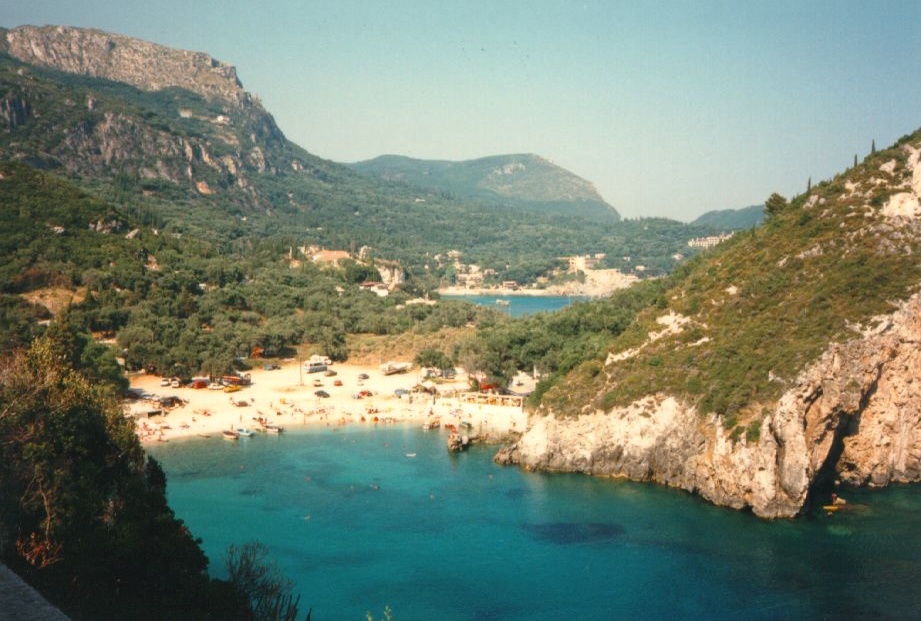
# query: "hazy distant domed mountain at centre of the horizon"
525,180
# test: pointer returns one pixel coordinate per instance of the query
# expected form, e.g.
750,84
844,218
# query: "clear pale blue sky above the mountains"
670,108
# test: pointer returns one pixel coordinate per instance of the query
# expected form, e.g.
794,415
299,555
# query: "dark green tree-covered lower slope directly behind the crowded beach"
175,303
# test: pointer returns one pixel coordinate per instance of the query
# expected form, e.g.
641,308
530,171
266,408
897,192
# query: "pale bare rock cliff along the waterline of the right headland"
854,415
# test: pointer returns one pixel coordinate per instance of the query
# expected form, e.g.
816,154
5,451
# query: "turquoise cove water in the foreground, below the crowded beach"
359,525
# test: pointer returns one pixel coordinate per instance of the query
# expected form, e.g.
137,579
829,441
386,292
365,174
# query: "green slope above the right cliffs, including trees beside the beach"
752,312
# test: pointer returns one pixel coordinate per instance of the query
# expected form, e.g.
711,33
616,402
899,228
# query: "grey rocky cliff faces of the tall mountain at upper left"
96,137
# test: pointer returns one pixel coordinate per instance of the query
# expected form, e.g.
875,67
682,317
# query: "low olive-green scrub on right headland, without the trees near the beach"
765,304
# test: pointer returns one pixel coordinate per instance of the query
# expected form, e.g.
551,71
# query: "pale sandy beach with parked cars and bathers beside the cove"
286,397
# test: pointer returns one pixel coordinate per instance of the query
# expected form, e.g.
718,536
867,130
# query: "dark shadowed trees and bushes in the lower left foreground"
83,513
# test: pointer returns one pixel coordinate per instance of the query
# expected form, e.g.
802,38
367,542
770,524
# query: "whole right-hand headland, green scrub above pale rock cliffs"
787,362
